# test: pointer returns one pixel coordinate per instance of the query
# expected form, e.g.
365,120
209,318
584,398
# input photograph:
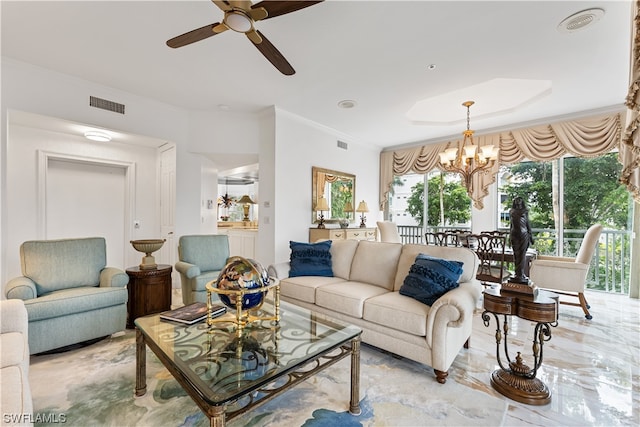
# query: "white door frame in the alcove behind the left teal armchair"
130,181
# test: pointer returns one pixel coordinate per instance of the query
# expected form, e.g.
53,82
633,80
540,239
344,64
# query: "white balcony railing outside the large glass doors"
610,266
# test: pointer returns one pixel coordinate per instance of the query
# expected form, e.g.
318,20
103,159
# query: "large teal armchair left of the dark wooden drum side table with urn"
70,294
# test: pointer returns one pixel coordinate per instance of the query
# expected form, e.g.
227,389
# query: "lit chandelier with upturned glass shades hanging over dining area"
468,161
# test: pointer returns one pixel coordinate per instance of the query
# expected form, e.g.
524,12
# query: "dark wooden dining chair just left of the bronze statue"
490,250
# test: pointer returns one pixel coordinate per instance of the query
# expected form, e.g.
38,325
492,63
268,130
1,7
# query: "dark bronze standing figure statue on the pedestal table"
521,238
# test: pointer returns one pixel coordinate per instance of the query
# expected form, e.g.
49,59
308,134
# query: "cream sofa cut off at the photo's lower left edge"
16,404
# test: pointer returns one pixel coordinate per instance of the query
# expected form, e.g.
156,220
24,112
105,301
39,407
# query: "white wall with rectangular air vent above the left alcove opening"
41,91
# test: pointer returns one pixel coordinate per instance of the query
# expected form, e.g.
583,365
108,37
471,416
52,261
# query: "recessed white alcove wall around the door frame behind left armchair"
22,193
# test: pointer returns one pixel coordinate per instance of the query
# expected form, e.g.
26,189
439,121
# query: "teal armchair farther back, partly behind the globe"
201,258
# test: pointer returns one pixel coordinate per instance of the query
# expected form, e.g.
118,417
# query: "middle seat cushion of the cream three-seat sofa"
347,297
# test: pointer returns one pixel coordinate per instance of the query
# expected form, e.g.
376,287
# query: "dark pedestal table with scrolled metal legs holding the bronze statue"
516,380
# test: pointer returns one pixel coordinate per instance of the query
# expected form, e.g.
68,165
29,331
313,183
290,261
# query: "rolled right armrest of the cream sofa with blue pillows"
453,309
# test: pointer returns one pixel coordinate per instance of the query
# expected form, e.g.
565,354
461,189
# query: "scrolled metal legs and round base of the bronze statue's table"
518,381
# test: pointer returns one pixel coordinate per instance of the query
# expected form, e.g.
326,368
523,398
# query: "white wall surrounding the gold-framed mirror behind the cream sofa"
299,145
